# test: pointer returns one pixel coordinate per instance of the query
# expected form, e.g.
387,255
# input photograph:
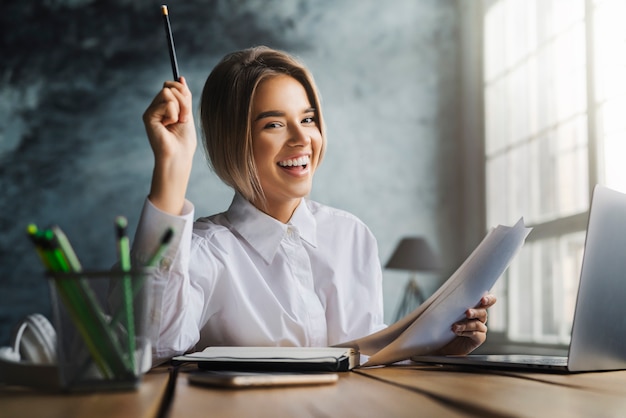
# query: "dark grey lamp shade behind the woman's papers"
414,254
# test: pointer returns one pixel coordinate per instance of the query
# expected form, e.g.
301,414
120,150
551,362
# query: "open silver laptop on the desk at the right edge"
598,339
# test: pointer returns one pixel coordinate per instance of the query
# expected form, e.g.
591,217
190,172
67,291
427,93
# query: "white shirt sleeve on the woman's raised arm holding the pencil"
173,327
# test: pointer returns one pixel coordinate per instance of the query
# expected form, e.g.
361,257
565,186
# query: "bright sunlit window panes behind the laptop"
554,86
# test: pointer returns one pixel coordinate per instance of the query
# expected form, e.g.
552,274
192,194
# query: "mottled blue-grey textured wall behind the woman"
76,75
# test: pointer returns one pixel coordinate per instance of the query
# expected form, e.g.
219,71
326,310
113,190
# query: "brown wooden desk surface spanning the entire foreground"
406,391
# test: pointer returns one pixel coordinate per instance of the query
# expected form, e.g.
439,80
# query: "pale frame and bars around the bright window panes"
473,145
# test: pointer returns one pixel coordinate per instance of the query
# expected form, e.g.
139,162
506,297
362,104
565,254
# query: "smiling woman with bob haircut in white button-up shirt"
275,268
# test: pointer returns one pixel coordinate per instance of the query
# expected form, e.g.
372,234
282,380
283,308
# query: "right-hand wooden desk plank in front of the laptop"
509,394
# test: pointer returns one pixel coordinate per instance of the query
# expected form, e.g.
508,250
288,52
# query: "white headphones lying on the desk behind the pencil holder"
31,358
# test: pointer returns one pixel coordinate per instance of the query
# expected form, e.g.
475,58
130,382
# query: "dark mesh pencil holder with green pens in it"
103,329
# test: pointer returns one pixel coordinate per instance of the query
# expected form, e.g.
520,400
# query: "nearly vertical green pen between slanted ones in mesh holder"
123,248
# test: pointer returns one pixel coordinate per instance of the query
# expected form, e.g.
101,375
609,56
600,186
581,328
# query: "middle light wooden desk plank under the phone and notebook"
355,395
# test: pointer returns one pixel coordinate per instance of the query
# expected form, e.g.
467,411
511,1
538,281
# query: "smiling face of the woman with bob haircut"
286,143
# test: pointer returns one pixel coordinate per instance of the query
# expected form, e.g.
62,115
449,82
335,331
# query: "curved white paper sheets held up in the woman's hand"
428,327
